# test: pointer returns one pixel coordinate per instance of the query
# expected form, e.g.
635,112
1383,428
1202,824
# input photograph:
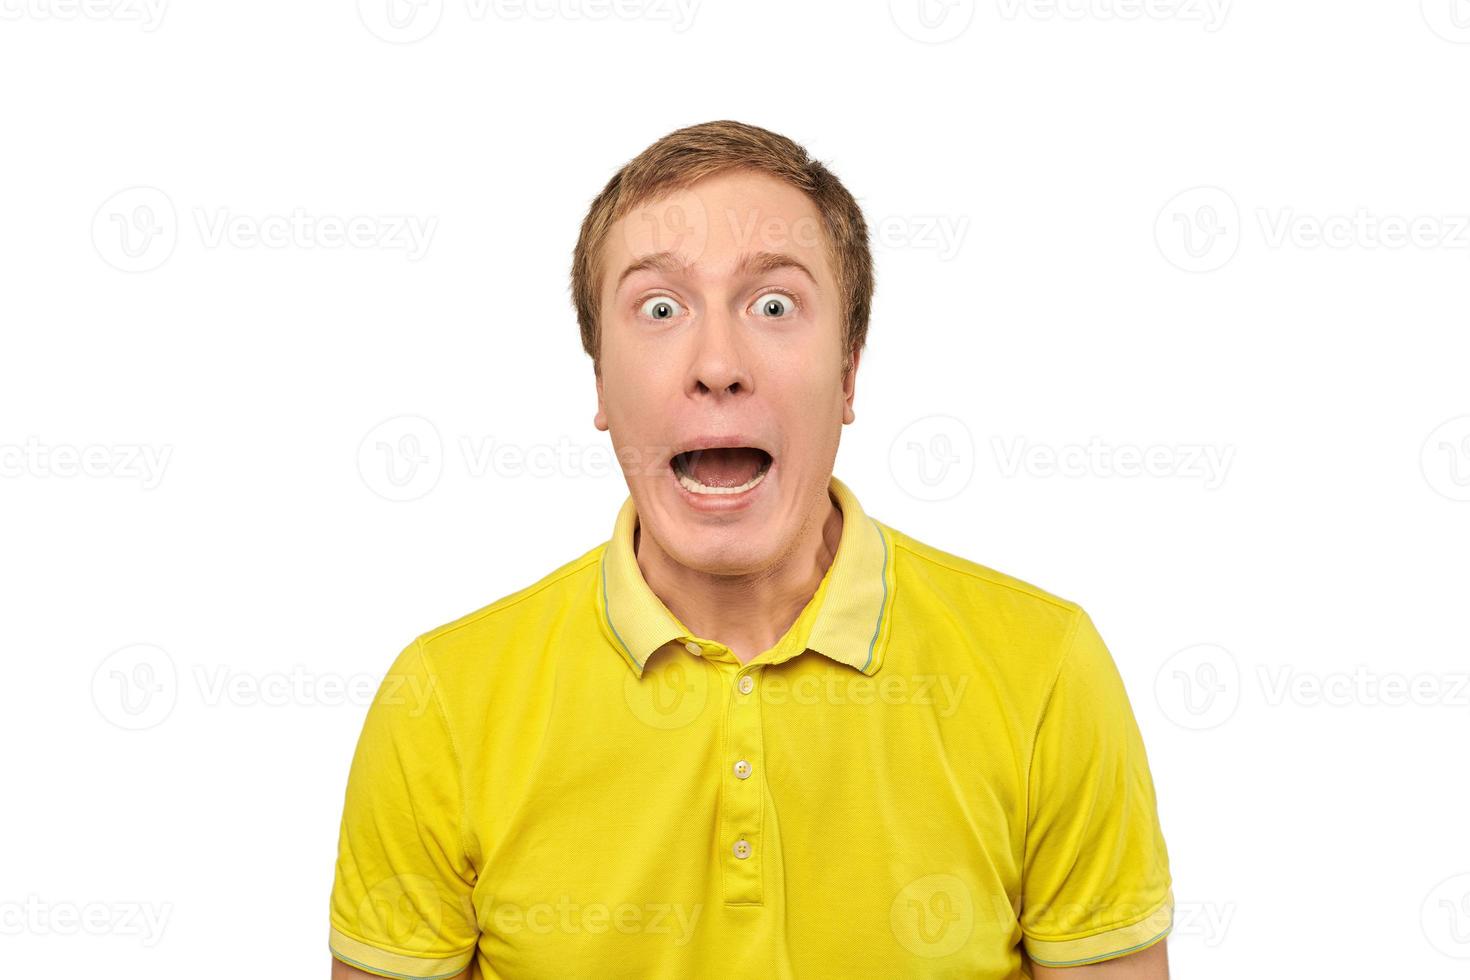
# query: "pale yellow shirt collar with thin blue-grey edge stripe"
850,625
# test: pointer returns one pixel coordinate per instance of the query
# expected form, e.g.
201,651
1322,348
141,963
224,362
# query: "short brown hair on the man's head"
693,154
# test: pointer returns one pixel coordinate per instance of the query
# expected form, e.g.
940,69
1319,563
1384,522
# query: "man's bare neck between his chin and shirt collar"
749,613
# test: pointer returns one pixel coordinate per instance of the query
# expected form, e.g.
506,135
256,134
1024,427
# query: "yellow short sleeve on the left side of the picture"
402,897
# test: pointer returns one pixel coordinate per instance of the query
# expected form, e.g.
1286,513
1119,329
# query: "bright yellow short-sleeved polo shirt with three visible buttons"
933,771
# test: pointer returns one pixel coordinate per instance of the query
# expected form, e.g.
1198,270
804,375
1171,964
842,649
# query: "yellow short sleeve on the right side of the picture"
1096,881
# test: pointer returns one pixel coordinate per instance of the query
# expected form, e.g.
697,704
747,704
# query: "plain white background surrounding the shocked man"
1227,237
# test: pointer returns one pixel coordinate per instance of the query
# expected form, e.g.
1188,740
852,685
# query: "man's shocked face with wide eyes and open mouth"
721,327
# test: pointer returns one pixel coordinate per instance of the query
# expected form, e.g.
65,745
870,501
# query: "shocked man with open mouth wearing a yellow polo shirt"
758,734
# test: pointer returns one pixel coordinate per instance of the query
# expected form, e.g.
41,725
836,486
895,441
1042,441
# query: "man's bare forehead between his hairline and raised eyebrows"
717,224
